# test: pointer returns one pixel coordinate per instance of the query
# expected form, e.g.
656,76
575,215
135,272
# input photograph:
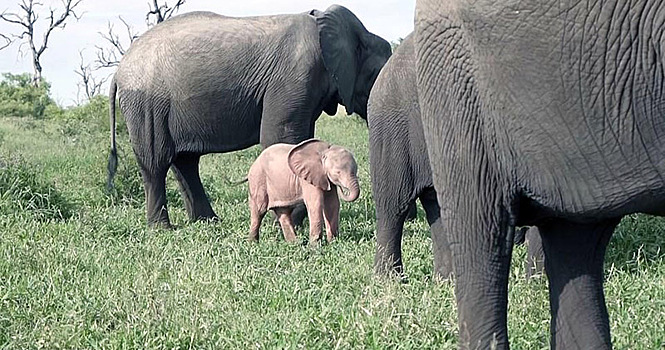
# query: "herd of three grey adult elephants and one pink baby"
495,115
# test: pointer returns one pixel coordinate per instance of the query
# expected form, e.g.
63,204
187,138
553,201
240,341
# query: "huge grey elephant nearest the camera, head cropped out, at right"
547,113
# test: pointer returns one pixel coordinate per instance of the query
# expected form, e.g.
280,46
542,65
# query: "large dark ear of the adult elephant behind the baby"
340,45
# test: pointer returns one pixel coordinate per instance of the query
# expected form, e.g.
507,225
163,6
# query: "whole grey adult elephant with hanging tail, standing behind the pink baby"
202,83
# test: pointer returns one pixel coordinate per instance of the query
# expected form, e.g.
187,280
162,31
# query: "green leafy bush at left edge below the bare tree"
20,98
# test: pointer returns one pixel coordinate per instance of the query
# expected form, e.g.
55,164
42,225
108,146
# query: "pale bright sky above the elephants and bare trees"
390,19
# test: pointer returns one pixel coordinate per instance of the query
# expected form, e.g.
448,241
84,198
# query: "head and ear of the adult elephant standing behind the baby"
352,55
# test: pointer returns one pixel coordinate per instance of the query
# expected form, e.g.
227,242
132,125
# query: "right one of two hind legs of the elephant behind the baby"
186,169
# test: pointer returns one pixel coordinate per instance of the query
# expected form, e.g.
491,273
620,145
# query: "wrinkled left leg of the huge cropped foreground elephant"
481,240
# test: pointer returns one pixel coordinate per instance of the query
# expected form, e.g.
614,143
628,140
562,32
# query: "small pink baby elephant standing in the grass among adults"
286,175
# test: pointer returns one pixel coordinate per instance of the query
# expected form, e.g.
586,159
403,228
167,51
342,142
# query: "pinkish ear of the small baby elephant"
306,161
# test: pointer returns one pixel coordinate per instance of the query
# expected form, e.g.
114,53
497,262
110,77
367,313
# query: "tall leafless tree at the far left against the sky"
26,18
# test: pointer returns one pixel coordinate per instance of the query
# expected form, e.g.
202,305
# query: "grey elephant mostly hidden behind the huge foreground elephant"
401,173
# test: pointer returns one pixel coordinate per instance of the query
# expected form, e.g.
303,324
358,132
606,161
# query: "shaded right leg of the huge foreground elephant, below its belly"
574,255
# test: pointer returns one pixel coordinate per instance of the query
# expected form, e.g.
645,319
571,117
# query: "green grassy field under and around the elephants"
79,268
